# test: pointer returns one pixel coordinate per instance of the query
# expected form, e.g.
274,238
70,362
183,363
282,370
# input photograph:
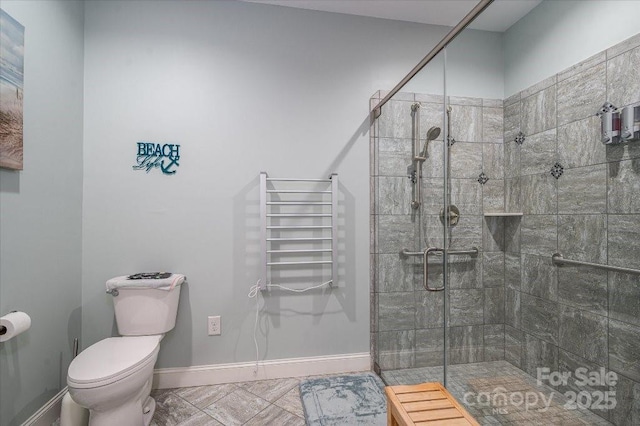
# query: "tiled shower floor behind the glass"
499,377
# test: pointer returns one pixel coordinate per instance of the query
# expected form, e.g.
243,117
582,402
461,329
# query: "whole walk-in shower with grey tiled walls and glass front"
476,189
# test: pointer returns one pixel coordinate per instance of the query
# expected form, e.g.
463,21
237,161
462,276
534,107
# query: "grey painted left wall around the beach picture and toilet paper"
41,210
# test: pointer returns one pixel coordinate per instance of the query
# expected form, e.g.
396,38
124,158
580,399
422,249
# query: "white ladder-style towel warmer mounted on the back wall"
298,226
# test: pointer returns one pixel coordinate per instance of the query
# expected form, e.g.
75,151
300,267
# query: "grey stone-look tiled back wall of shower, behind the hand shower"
407,321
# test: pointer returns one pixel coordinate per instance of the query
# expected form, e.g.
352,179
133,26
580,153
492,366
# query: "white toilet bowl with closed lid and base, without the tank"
113,378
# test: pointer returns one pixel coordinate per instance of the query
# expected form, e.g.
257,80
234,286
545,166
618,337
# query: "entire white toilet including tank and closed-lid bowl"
113,377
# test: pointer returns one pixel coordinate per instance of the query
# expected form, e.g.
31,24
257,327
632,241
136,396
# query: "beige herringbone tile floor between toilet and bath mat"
267,402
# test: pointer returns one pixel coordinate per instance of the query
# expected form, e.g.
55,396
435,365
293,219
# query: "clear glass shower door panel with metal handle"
408,181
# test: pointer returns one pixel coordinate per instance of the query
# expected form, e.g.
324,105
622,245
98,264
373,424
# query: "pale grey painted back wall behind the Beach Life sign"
243,88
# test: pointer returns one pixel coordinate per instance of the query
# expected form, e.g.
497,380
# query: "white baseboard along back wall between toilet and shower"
203,375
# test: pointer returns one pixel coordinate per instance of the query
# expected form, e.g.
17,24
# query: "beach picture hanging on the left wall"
11,91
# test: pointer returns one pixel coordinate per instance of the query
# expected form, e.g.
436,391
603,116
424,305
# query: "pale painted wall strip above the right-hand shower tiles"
558,34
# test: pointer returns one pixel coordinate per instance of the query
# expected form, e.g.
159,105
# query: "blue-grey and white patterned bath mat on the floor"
353,399
